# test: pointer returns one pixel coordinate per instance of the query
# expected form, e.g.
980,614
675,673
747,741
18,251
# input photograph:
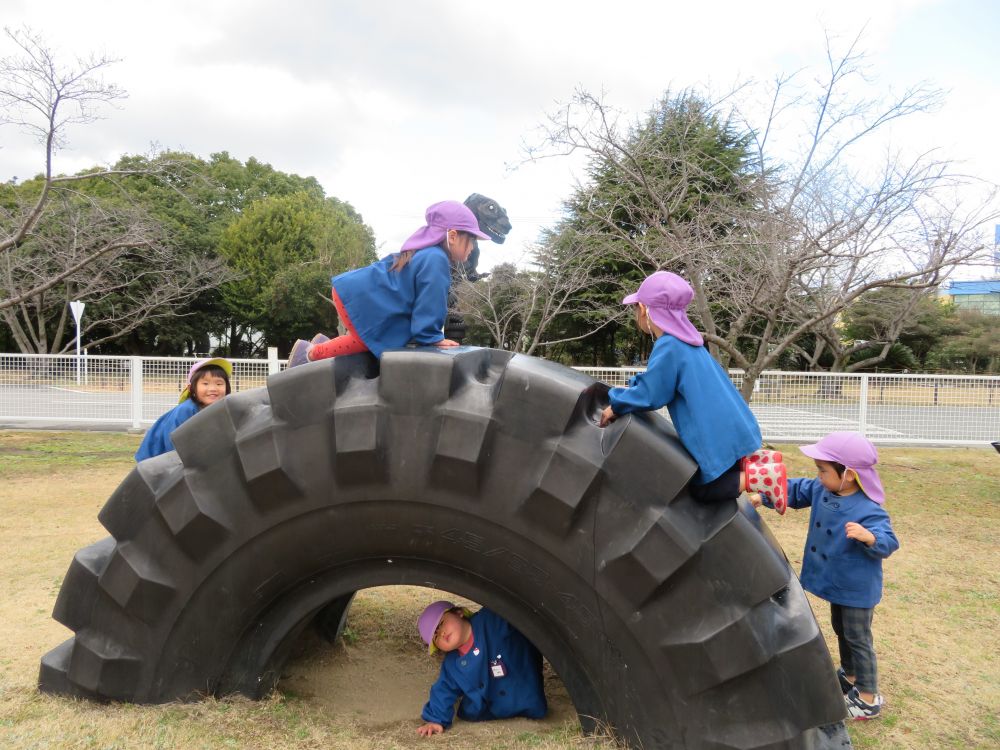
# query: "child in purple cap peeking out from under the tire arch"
495,670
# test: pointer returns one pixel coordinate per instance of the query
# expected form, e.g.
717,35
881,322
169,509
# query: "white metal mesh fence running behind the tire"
131,392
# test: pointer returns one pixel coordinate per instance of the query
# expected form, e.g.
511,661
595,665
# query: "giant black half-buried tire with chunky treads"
679,625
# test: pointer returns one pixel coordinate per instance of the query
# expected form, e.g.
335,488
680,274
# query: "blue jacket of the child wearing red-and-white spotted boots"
711,418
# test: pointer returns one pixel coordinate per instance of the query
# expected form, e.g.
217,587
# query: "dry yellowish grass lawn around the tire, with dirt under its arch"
935,631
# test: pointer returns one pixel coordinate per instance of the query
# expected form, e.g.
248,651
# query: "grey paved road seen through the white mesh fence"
49,407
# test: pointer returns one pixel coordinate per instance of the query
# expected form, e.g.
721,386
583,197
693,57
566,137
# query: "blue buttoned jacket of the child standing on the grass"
841,570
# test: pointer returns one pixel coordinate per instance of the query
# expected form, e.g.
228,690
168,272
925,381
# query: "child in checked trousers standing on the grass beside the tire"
849,535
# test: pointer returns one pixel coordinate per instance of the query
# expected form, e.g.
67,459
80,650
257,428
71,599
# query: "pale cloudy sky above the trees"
395,105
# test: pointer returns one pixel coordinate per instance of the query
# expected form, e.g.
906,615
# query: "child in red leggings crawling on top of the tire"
403,297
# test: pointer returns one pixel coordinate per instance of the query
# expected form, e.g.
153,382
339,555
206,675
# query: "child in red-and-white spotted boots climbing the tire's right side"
711,418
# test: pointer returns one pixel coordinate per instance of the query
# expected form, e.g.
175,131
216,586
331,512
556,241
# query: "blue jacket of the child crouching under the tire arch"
470,677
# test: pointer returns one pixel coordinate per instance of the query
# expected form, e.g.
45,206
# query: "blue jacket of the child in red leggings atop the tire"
391,308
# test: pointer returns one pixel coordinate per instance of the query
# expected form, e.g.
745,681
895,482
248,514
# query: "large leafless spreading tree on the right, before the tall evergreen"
775,247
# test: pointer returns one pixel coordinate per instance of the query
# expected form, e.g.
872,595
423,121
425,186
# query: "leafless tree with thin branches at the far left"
62,239
